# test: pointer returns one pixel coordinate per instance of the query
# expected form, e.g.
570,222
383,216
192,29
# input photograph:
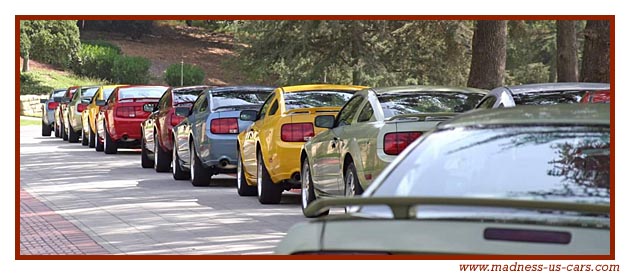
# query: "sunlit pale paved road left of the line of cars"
129,210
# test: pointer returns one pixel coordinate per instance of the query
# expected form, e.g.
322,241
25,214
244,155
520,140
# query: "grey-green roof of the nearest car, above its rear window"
580,114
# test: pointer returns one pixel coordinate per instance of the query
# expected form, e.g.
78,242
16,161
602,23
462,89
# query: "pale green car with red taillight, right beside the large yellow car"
372,128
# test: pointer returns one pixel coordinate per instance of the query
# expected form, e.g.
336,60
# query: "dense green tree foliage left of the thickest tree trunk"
373,53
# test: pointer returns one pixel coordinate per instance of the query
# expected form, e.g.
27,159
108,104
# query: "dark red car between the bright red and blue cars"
157,129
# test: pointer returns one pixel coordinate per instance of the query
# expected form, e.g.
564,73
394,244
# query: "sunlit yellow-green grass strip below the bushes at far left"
41,81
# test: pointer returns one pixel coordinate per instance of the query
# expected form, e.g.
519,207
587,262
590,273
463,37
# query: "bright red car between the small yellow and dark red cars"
118,122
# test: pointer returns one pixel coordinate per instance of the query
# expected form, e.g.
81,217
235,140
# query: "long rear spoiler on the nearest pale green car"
401,206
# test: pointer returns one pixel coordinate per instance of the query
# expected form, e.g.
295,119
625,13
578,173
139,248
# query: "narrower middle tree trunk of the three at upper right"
566,55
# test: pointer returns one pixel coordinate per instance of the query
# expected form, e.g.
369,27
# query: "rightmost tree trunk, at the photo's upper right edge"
596,57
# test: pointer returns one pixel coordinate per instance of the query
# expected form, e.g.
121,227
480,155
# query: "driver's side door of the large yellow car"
252,135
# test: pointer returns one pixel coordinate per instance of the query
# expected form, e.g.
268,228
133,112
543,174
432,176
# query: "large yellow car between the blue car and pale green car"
269,150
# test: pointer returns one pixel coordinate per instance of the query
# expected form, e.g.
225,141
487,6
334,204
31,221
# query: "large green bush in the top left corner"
54,42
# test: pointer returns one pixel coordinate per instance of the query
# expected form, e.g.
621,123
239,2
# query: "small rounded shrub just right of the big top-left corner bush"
96,60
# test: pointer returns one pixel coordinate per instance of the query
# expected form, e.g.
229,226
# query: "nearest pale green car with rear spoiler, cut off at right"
529,180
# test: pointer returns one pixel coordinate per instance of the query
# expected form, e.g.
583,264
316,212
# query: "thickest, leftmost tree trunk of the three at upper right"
487,67
